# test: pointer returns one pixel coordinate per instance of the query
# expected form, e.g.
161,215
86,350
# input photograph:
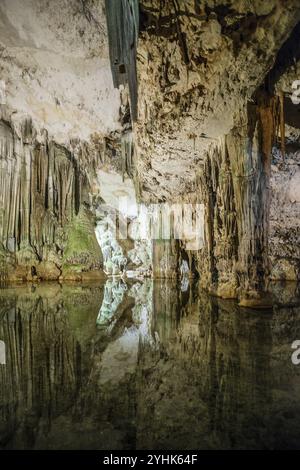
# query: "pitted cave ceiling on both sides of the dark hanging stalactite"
198,64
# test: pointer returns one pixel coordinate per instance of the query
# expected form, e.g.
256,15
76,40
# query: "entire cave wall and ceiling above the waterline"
201,113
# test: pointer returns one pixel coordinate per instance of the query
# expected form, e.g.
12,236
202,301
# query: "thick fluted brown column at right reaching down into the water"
235,190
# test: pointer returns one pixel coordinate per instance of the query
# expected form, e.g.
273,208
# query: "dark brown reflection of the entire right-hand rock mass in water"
213,383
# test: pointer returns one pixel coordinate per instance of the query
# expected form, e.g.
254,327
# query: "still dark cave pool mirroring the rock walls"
168,368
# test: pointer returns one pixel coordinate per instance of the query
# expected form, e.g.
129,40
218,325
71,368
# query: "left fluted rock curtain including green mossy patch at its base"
47,227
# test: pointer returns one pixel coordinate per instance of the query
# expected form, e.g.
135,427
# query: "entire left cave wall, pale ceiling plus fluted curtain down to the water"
60,121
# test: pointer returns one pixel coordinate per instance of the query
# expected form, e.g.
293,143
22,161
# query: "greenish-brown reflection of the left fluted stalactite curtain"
49,333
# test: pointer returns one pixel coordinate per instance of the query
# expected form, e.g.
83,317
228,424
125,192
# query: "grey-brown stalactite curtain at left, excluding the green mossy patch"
43,187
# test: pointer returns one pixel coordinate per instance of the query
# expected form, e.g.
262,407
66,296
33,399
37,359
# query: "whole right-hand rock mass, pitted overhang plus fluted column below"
208,117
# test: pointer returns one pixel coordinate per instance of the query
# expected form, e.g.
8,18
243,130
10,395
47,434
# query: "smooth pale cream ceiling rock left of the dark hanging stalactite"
54,66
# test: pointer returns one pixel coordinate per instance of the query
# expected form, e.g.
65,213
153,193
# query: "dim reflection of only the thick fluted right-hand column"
231,369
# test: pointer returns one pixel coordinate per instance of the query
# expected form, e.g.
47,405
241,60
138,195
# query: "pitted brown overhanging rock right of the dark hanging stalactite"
198,63
